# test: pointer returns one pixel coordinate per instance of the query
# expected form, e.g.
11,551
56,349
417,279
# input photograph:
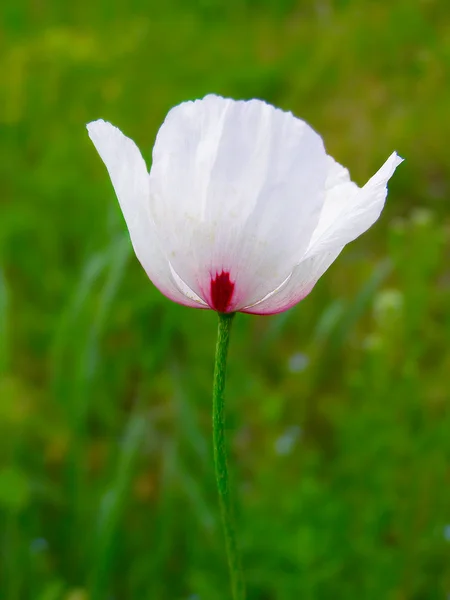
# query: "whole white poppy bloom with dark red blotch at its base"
242,210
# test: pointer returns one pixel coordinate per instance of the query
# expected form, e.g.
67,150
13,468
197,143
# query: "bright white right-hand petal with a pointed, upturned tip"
348,210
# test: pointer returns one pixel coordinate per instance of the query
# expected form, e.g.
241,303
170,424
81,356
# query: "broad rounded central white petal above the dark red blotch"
238,187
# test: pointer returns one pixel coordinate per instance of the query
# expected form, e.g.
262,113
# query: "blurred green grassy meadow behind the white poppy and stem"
338,410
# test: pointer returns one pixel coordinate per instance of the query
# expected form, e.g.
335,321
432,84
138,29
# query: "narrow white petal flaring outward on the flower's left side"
129,177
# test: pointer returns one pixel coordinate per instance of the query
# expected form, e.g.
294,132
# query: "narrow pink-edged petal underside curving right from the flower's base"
297,286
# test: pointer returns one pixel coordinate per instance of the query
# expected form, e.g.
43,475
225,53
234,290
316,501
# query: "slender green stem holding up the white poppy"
220,456
